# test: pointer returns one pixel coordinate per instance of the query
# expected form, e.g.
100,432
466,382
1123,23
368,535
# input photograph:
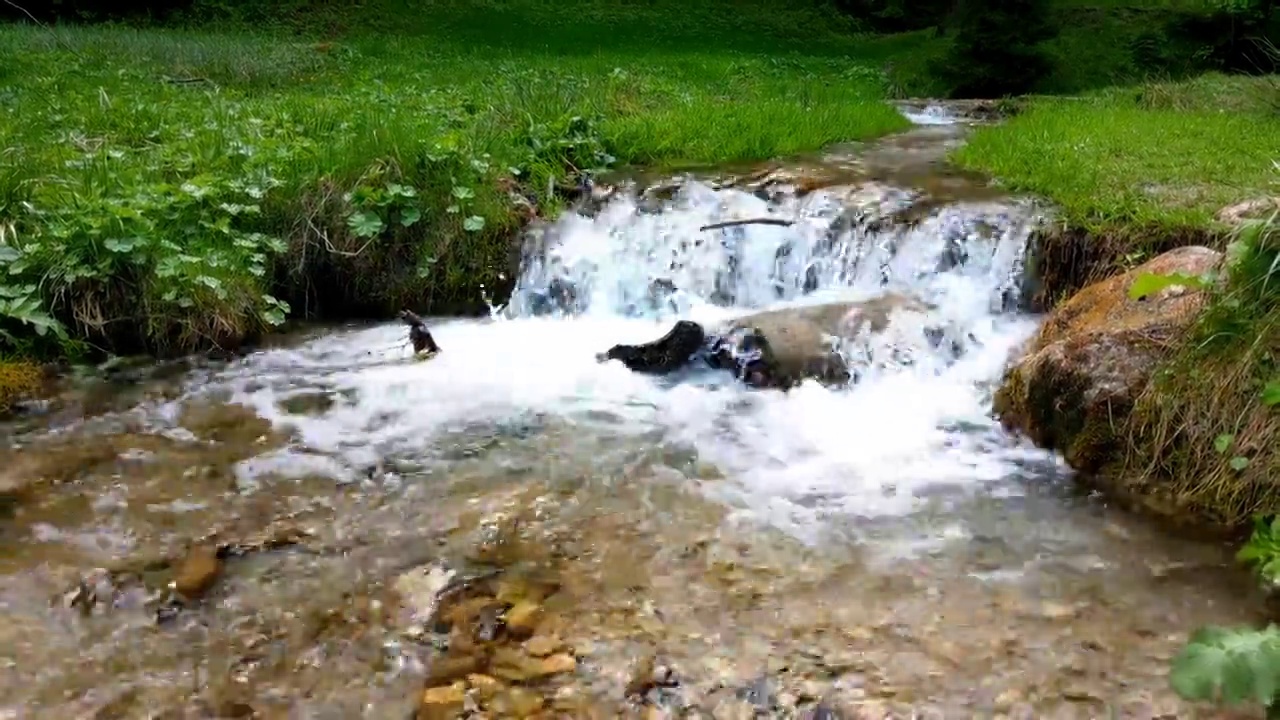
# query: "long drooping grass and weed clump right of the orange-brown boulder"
1208,429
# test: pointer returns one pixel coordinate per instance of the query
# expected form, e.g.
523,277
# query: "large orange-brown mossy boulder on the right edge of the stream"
1095,354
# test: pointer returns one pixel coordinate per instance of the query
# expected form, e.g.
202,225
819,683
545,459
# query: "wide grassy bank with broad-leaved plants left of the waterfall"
167,190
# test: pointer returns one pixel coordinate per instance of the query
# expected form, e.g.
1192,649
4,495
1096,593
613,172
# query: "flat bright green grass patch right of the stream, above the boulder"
1163,157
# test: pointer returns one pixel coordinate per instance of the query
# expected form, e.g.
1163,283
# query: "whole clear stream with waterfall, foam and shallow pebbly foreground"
872,552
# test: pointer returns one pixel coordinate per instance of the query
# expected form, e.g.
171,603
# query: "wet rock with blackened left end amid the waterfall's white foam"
776,349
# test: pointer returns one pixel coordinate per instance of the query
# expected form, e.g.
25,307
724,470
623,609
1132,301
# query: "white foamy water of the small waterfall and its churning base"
913,429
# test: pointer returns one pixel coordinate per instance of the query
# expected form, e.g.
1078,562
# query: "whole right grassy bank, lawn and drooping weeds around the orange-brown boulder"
1136,171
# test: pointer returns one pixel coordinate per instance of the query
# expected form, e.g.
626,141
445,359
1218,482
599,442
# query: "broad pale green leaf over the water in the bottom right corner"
1231,666
